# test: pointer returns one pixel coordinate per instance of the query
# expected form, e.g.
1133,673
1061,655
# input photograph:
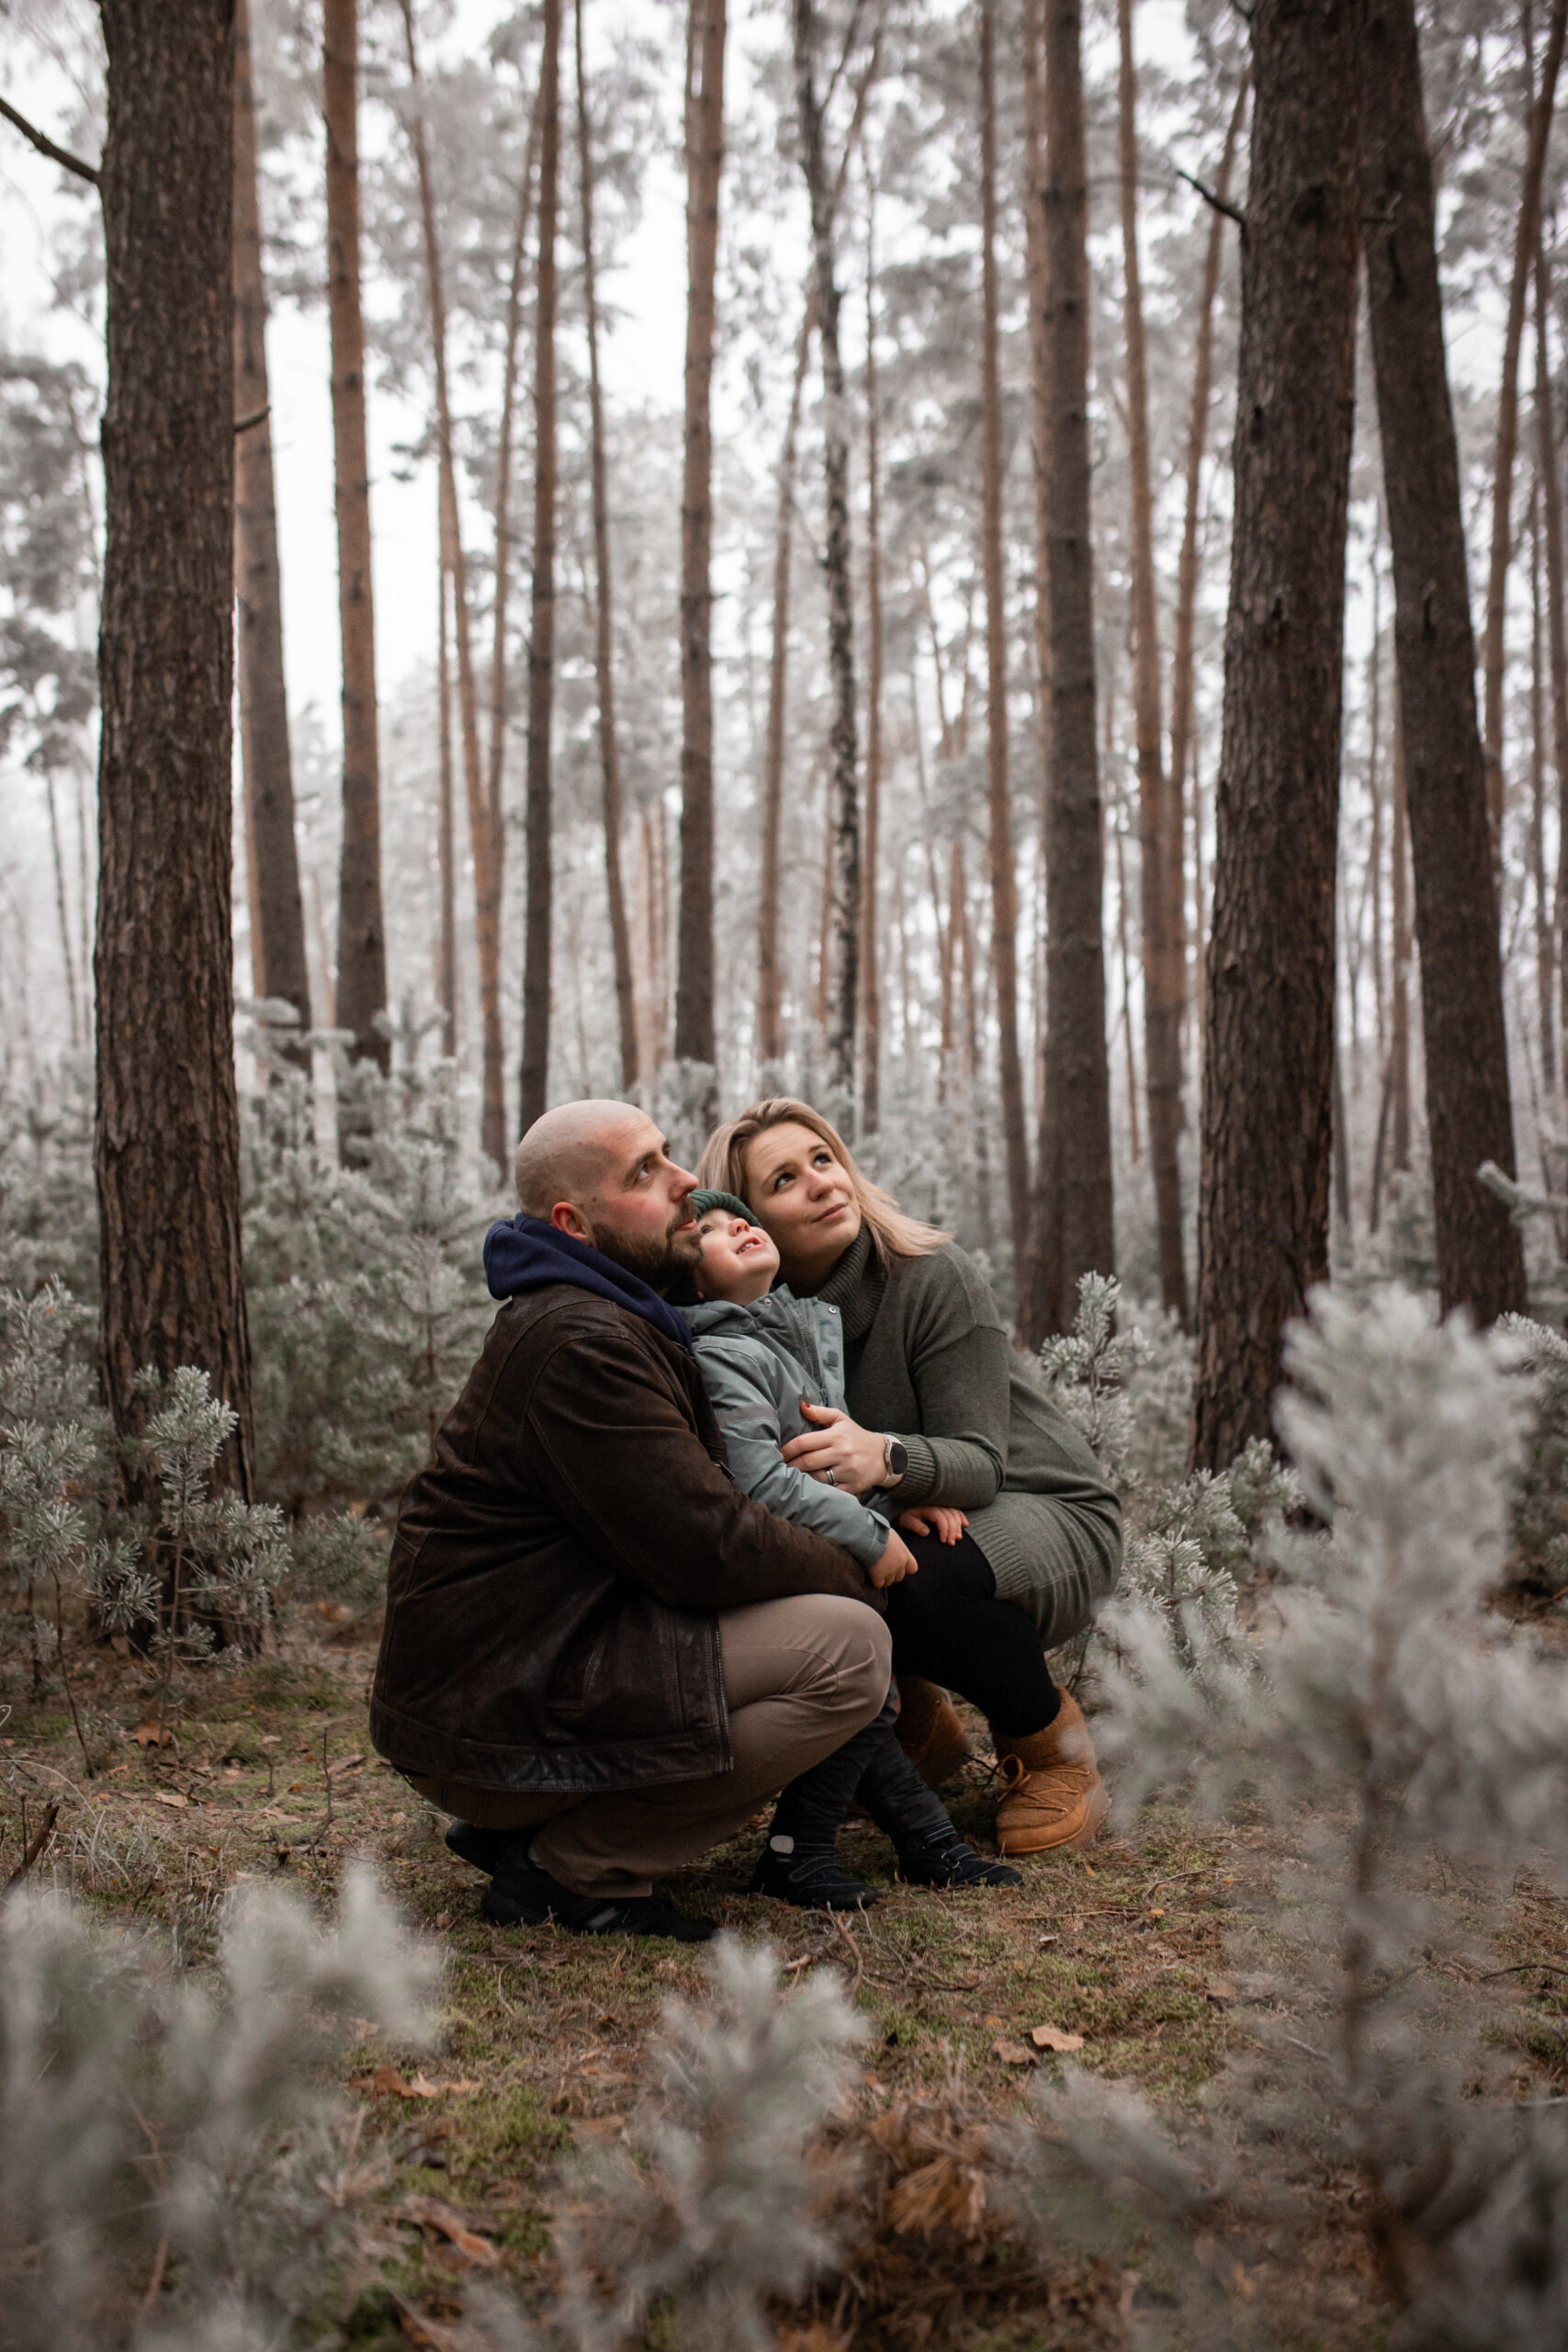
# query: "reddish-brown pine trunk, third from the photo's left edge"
361,984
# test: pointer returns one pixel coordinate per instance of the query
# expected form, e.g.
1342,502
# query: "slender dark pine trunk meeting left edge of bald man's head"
540,824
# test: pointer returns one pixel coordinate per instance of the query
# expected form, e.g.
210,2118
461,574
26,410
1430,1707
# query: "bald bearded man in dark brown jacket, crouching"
598,1652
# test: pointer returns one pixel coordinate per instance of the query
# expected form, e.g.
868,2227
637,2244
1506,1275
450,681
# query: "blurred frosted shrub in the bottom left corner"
173,2132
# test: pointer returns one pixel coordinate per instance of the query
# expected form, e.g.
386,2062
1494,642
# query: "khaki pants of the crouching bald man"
800,1678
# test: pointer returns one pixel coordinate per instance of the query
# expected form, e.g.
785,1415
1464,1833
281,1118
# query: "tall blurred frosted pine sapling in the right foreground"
1393,1716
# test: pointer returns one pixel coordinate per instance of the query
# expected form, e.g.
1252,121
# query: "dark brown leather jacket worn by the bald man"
558,1565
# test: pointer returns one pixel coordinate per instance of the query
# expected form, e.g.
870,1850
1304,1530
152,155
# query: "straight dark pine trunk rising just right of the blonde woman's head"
1073,1198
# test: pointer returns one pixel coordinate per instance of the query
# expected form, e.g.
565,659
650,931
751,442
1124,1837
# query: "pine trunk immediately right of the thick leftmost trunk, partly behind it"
279,933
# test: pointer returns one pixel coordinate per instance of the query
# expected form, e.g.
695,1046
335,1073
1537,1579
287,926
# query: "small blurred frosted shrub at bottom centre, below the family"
723,2203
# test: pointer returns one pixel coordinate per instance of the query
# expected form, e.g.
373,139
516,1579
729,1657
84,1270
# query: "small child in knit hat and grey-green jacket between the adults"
763,1354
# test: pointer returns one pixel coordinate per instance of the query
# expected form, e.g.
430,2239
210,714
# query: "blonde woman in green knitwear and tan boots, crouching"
1017,1535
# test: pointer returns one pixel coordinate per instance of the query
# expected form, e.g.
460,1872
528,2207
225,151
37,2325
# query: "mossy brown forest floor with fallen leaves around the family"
1132,1946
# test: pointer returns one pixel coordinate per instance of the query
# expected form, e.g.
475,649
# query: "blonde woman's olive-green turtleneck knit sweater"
930,1363
